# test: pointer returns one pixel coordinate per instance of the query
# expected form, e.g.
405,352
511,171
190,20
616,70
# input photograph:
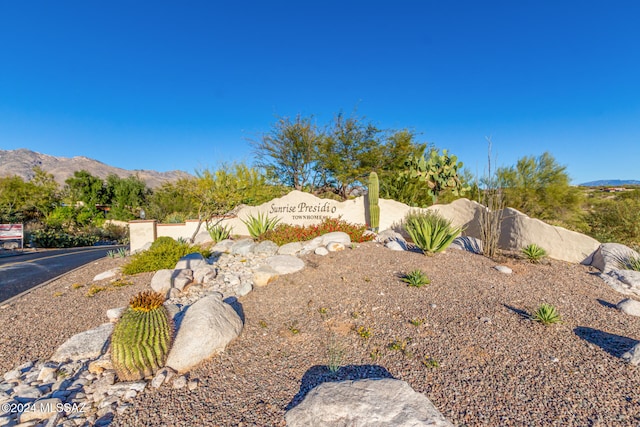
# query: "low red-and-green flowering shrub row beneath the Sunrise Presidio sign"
285,233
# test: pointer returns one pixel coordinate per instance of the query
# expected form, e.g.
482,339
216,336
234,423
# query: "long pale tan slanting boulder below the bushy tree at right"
518,231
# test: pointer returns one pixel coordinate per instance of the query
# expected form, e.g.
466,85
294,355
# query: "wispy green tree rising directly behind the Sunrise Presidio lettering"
288,153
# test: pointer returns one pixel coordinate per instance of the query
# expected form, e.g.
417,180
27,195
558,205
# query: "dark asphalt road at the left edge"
23,272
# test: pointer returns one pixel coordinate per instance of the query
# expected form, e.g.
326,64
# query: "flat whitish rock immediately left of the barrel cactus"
85,345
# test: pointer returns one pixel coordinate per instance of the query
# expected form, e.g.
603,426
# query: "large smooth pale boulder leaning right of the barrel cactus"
206,328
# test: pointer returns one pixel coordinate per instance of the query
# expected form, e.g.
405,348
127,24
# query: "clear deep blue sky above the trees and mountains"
183,85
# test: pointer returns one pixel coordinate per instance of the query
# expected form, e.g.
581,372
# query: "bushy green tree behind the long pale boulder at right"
539,187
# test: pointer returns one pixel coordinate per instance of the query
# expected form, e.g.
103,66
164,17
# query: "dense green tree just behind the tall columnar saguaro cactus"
350,150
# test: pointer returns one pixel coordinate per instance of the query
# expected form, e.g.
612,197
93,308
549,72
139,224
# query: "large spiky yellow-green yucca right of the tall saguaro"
430,231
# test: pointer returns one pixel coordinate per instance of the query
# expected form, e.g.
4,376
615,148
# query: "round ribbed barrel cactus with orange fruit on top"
142,337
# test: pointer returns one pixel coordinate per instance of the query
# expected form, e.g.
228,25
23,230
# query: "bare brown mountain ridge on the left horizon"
21,162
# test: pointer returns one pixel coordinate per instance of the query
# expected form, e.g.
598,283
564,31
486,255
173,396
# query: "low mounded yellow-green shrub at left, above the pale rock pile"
164,253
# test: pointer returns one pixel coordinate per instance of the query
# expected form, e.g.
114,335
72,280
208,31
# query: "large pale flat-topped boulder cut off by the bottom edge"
369,402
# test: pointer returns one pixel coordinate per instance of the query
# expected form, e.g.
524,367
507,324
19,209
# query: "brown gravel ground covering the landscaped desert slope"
464,340
